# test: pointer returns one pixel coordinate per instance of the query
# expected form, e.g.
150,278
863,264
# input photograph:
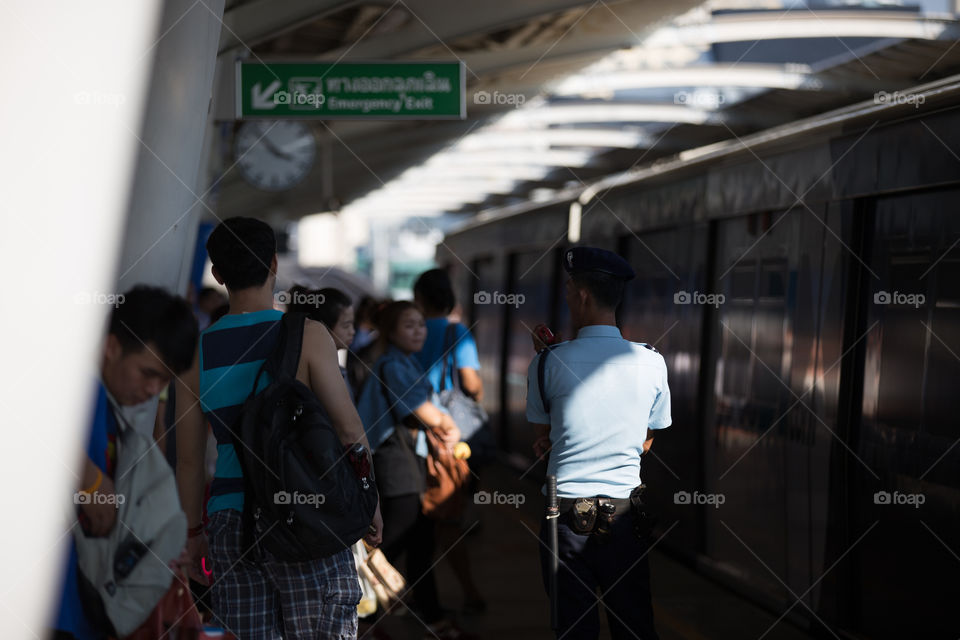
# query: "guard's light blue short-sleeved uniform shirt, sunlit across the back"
605,394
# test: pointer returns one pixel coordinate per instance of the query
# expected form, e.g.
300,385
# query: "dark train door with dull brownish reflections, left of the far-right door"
761,453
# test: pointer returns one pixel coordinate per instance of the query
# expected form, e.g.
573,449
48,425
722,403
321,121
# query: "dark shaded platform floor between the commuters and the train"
503,547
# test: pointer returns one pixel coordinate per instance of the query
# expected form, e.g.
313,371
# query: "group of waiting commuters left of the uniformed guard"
375,366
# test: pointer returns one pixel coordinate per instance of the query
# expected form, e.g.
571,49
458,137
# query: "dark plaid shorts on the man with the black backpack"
269,600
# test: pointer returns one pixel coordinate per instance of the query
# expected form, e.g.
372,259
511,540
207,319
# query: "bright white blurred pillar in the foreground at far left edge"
75,77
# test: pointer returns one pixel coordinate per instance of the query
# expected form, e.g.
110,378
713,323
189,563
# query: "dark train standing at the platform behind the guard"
803,286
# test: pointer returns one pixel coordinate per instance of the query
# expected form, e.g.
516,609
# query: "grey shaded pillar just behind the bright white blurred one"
171,170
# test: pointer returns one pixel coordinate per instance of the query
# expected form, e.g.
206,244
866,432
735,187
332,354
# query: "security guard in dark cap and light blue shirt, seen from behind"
602,398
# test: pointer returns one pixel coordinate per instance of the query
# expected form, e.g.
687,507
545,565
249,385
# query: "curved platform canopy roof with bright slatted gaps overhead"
604,86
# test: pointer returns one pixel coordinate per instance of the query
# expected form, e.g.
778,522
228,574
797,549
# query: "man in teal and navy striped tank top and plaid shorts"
259,592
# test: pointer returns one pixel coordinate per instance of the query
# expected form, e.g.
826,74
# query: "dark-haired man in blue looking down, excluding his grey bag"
152,337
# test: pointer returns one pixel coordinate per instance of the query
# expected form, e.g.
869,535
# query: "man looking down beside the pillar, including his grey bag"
152,337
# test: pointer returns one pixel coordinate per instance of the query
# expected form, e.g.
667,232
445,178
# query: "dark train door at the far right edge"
910,426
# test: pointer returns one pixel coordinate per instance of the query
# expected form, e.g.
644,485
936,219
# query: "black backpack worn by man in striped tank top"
305,496
